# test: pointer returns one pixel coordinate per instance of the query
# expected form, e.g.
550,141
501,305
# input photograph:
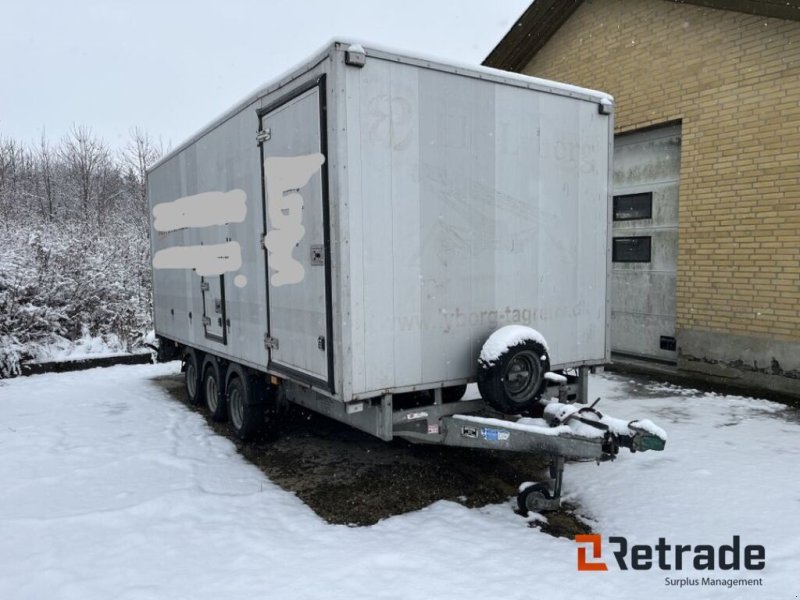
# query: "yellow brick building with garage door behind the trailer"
706,268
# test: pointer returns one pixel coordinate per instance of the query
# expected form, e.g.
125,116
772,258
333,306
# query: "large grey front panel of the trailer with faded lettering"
471,205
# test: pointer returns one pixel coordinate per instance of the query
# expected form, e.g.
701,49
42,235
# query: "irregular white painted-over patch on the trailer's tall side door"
285,176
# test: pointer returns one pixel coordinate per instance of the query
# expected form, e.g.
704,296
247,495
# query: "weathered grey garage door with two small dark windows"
645,243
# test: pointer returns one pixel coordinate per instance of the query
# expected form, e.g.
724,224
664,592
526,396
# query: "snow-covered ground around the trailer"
111,489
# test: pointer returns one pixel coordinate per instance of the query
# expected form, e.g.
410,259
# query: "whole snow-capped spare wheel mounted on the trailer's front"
512,366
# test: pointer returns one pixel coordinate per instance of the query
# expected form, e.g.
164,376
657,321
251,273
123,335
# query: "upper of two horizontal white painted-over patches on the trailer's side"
201,210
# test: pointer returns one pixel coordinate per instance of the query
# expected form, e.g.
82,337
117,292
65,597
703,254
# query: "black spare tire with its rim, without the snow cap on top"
514,383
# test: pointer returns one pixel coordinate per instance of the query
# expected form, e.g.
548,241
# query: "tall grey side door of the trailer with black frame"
293,154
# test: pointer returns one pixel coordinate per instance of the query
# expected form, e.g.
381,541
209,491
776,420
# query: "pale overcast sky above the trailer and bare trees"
169,66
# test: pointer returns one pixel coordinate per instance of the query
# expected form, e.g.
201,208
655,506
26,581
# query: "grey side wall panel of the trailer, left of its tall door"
224,159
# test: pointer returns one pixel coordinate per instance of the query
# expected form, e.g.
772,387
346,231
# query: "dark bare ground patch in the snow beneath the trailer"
349,477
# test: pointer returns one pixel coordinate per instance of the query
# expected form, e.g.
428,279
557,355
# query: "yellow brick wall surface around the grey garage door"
734,82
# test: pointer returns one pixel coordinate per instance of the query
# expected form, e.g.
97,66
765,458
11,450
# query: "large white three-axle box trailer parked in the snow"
356,231
